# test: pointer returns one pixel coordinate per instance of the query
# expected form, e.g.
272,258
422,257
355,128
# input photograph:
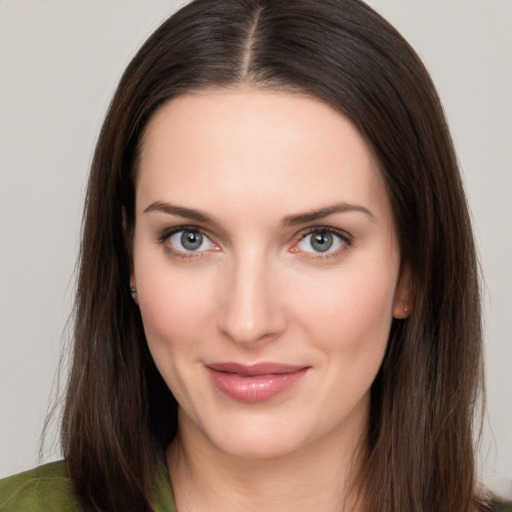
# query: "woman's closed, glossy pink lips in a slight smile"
254,383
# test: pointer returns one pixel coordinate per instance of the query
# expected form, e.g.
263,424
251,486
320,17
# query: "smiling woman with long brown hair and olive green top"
277,278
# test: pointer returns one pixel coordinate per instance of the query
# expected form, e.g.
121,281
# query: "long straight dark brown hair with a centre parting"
120,415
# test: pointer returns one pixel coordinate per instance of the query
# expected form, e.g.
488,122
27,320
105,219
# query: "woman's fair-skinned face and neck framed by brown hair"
229,269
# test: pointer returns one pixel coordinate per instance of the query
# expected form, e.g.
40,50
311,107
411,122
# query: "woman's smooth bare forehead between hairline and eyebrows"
253,146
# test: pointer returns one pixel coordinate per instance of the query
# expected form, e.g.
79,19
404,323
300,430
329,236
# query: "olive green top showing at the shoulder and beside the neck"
48,488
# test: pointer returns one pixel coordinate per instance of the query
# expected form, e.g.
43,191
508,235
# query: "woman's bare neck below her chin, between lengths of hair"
318,476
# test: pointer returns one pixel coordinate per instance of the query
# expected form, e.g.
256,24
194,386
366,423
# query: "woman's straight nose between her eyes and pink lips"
251,308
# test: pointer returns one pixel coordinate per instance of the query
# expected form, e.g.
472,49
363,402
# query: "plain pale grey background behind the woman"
59,63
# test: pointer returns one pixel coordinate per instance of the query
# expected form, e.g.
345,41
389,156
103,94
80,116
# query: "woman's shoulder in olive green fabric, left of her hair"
41,489
